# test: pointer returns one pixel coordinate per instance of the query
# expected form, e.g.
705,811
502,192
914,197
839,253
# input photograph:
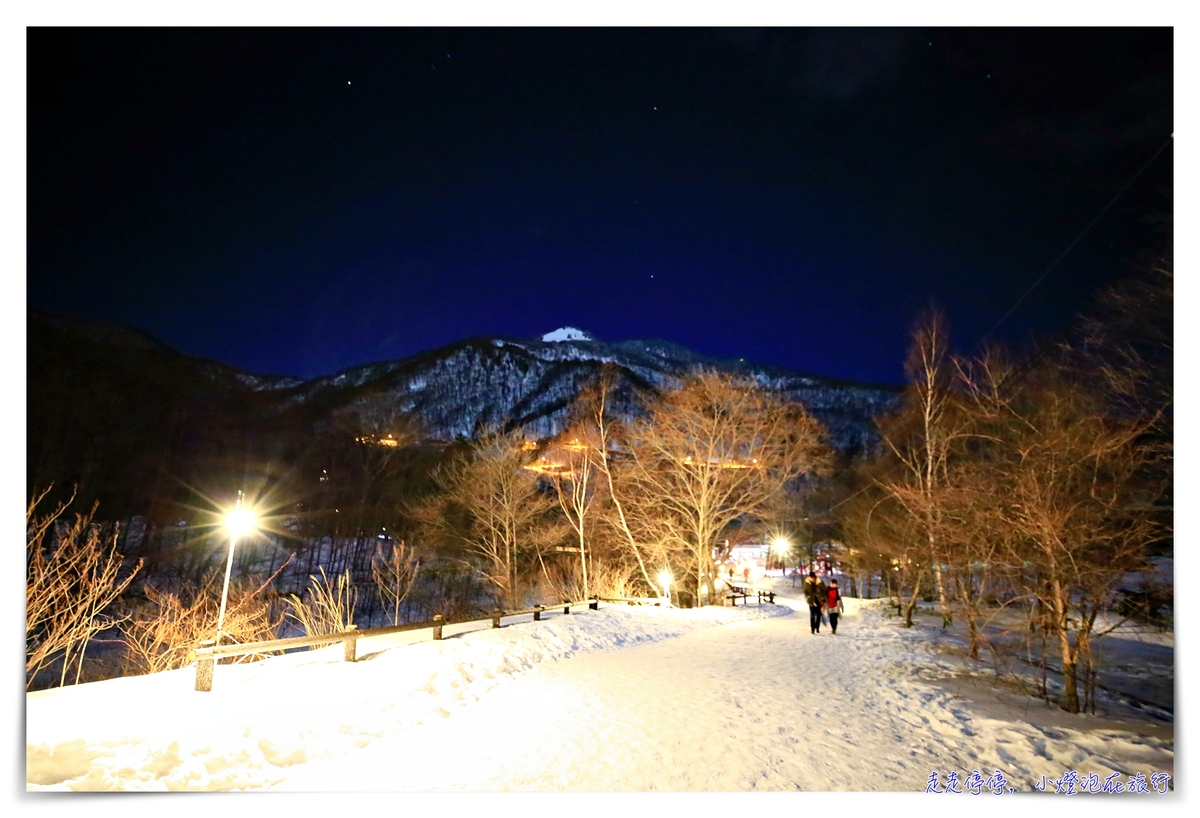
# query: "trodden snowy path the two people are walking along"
757,706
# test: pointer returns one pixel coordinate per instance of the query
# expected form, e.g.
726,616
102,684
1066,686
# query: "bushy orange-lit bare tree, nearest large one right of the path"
1072,496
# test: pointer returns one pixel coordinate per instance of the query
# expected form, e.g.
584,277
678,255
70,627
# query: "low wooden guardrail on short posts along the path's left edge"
207,653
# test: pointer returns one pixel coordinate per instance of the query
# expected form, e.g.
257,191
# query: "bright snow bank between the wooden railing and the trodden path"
262,720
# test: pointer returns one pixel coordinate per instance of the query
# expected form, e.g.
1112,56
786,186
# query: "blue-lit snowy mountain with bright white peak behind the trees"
469,387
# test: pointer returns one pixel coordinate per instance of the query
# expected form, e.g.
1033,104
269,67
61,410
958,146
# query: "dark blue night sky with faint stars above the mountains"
297,202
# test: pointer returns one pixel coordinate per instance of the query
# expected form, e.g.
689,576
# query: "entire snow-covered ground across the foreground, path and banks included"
621,700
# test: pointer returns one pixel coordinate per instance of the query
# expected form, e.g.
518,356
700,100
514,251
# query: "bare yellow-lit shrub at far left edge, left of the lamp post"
73,576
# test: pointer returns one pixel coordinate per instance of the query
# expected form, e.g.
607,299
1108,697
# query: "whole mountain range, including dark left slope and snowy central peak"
109,395
